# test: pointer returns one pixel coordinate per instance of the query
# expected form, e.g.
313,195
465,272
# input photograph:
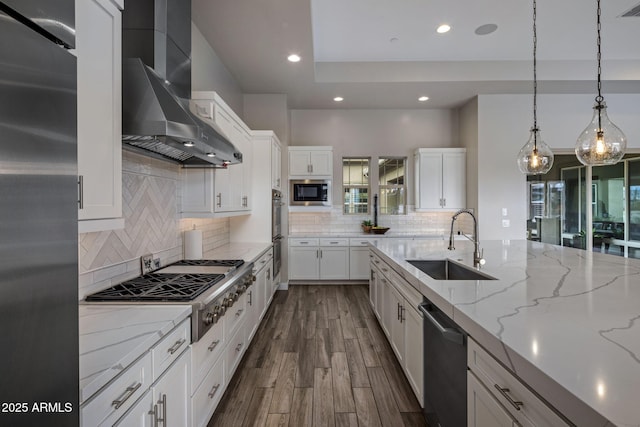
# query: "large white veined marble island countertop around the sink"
566,321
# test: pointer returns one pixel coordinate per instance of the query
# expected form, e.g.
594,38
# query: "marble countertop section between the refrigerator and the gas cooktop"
114,336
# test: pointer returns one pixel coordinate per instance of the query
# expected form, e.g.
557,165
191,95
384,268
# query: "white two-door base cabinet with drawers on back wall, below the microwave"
319,259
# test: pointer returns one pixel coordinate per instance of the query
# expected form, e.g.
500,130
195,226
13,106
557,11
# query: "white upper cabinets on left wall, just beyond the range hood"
220,192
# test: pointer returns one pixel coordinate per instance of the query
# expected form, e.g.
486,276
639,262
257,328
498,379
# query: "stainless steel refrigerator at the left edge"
38,214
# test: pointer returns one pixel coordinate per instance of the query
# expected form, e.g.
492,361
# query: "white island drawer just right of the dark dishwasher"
523,405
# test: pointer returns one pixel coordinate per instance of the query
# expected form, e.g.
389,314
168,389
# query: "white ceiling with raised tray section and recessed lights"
386,53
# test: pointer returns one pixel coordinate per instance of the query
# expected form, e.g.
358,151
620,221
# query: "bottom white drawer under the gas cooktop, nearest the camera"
207,396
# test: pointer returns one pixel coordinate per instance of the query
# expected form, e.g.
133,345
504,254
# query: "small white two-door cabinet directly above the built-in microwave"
312,161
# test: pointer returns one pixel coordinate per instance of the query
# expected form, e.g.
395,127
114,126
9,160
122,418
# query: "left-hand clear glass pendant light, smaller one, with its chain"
535,158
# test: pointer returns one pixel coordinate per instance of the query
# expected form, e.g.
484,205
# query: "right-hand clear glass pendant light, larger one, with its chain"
602,142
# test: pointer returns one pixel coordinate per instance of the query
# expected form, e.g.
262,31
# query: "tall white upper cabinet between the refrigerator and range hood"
99,52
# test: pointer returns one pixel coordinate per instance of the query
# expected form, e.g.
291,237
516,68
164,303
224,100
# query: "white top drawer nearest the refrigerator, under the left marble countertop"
116,398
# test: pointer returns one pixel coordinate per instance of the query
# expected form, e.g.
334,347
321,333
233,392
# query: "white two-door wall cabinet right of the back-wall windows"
440,179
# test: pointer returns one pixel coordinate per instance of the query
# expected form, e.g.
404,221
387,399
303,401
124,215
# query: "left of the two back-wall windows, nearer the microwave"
355,183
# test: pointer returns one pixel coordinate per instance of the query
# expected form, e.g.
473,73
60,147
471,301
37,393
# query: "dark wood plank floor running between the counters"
319,358
